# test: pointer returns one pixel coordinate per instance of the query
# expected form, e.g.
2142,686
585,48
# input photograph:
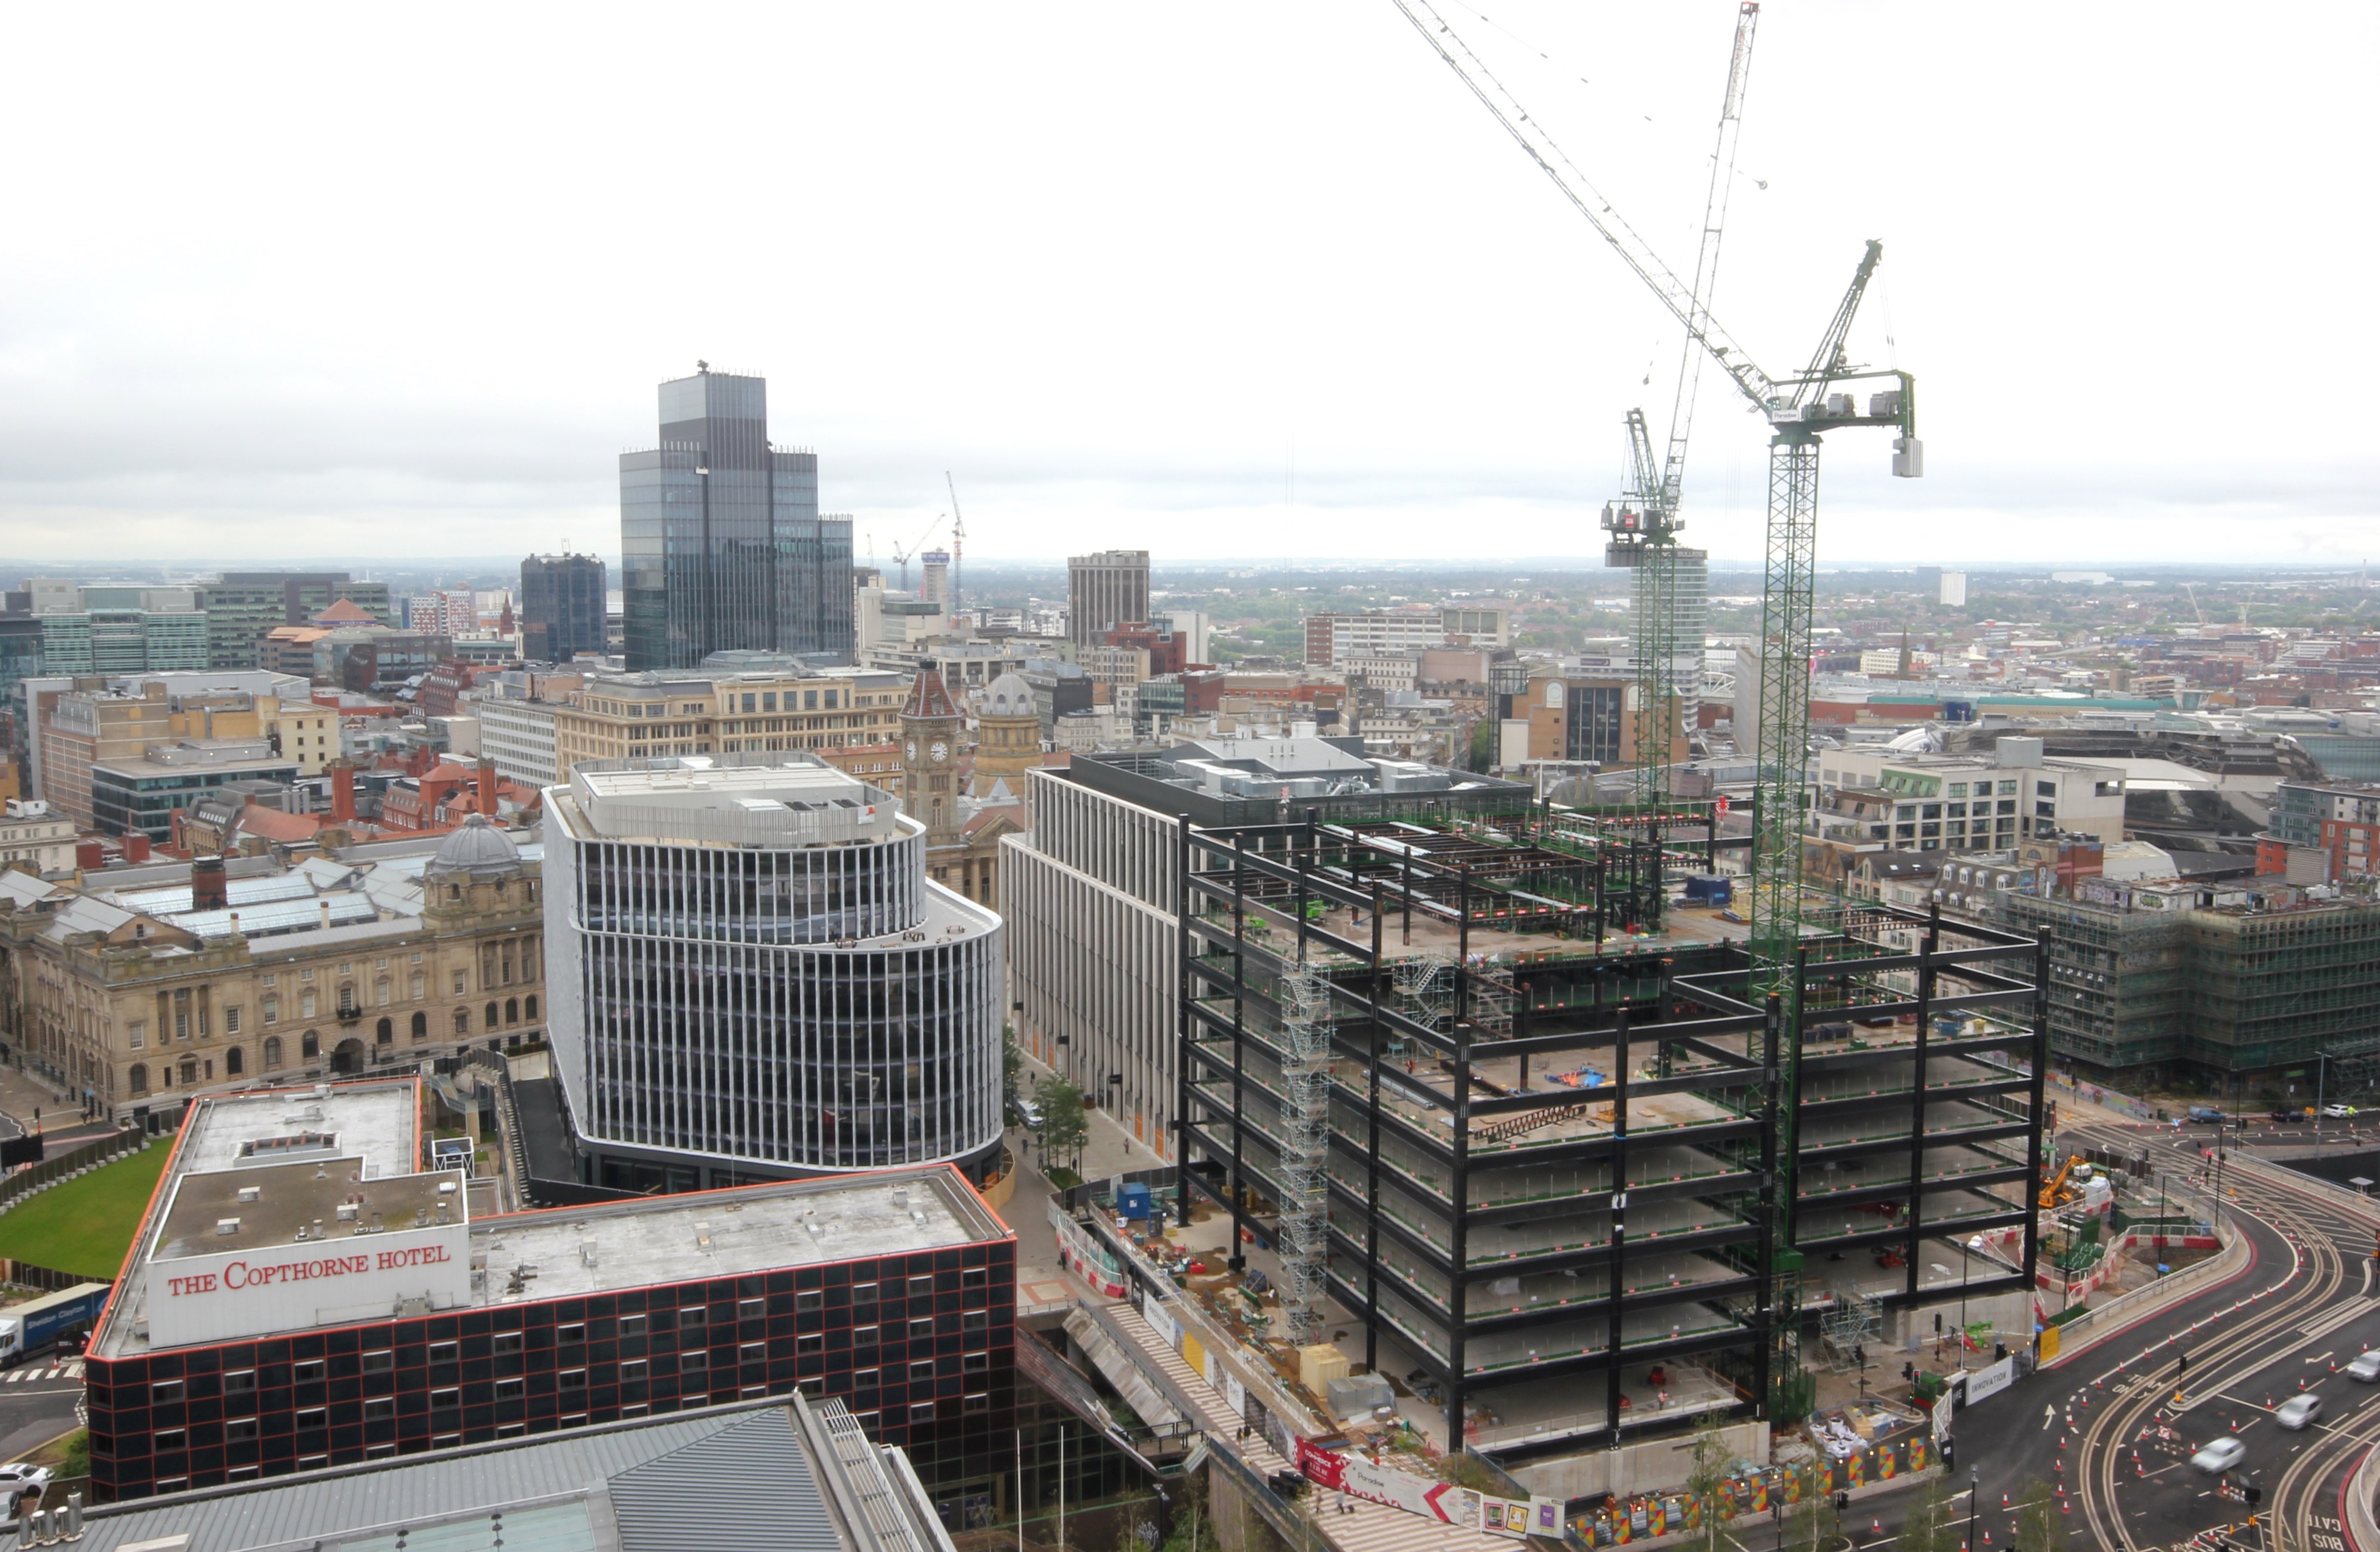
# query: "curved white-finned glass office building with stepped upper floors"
753,977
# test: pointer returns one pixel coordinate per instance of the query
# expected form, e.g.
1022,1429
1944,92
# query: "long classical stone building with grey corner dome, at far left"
168,982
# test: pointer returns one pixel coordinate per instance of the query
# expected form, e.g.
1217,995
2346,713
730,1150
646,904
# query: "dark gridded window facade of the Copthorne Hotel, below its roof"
920,1346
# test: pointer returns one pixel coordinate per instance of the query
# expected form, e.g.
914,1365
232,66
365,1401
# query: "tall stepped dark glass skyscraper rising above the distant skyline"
722,544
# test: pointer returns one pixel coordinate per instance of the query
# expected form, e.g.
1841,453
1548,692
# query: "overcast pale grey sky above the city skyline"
1213,280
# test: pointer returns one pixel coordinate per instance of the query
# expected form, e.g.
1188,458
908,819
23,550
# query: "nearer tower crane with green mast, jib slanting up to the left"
1800,411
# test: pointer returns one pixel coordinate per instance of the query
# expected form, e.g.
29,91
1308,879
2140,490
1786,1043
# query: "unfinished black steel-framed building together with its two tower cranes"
1541,1141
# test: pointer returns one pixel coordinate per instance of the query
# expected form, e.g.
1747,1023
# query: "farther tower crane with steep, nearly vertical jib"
1643,525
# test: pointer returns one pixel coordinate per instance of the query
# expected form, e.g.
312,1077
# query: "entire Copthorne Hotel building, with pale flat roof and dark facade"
289,1306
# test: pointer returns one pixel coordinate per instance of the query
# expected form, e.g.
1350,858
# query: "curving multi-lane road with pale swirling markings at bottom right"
2107,1427
